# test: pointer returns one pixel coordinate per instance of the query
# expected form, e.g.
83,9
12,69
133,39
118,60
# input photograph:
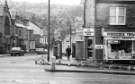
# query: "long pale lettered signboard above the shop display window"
119,34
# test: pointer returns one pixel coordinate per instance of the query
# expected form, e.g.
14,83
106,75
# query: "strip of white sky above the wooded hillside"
62,2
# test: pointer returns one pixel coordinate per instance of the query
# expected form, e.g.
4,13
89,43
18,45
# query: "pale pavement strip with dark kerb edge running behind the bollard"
62,68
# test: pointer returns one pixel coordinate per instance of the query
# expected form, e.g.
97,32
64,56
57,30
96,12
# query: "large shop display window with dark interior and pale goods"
121,49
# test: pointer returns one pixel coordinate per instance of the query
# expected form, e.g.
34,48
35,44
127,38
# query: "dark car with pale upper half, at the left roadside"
16,51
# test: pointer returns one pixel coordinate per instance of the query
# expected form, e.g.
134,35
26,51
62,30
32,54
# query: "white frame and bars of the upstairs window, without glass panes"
117,16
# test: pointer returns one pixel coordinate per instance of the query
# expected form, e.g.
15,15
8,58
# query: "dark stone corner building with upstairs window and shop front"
114,26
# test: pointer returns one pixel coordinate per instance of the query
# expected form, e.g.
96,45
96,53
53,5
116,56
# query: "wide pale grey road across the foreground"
22,70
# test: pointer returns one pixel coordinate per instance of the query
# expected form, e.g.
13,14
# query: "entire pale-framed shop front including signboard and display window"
119,45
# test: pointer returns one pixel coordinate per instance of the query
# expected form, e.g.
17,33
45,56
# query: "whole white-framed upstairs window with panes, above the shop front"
117,16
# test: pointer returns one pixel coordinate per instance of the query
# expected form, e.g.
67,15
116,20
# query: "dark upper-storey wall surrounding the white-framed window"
102,11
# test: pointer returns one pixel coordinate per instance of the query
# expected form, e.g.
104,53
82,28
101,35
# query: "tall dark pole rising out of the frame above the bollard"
48,58
